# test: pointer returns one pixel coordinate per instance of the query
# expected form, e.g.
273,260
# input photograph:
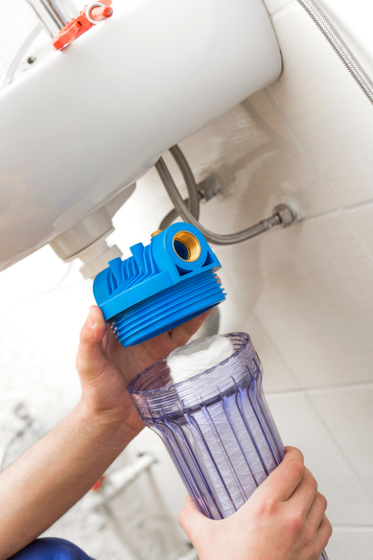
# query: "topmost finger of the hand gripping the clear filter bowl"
283,481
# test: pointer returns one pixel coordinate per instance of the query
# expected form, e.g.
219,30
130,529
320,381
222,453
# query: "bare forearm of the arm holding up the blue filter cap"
54,474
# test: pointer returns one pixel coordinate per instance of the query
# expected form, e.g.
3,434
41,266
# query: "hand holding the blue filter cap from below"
105,367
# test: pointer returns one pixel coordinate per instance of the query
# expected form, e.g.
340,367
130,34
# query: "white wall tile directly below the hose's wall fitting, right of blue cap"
311,288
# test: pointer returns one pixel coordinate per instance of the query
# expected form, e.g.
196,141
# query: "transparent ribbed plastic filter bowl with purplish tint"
216,426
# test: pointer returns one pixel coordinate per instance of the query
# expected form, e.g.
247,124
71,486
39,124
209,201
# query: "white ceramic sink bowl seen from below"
91,119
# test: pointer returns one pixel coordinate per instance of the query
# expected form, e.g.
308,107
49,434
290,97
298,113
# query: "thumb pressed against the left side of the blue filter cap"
90,360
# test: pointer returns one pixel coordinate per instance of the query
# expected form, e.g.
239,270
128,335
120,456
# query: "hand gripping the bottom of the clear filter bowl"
283,520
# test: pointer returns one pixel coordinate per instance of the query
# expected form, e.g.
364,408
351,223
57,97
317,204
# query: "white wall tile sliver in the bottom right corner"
348,544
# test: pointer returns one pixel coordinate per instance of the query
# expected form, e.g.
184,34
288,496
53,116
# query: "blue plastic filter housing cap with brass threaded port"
164,284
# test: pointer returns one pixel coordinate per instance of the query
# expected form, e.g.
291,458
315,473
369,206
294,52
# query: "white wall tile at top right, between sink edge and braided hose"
325,109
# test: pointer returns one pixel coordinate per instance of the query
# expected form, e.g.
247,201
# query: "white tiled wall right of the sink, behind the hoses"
305,294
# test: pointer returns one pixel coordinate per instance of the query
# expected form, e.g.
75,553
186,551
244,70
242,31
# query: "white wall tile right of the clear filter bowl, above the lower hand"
300,426
